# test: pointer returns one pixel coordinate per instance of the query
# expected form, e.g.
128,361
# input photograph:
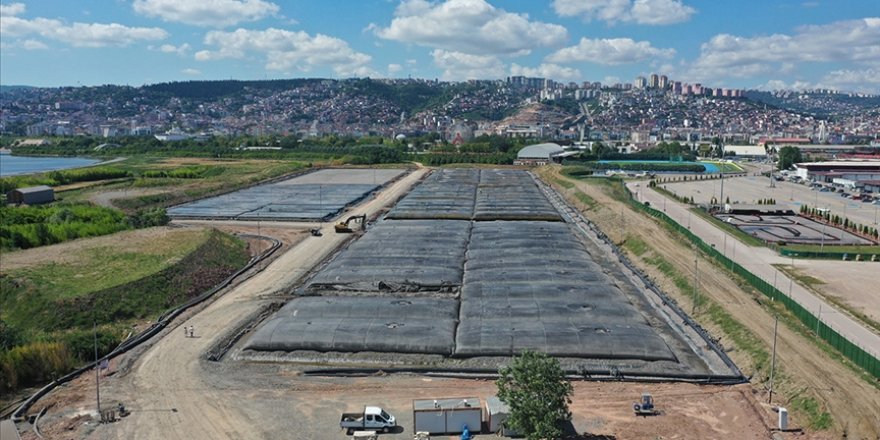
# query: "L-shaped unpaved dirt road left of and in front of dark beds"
174,393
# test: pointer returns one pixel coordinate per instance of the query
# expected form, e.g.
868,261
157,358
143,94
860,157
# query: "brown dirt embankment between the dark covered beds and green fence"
806,371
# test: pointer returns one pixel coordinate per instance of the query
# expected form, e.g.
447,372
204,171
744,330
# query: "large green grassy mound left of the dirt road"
50,298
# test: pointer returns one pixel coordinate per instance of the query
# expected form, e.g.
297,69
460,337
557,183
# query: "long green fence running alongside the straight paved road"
850,350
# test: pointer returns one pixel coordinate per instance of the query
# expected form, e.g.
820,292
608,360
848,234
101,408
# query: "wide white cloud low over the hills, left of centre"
287,51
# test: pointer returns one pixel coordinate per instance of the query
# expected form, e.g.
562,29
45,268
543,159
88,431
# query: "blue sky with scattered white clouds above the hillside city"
753,44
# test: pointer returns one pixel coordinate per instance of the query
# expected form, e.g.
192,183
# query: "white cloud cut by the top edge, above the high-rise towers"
651,12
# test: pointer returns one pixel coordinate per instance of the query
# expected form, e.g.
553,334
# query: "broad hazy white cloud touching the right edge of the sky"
728,55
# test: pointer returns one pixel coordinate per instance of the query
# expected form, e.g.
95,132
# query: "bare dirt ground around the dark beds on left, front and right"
172,391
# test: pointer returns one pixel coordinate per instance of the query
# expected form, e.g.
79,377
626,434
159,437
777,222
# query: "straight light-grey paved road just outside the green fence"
759,260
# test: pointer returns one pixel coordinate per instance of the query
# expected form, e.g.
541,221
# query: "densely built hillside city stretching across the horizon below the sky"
640,113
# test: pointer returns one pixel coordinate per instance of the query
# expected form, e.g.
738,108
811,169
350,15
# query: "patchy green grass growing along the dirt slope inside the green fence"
709,311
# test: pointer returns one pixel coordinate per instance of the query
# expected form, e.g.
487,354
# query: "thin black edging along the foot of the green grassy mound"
159,325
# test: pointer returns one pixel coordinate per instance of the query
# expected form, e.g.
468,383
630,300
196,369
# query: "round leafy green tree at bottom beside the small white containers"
535,389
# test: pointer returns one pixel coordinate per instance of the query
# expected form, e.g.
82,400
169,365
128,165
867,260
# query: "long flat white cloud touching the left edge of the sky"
79,34
